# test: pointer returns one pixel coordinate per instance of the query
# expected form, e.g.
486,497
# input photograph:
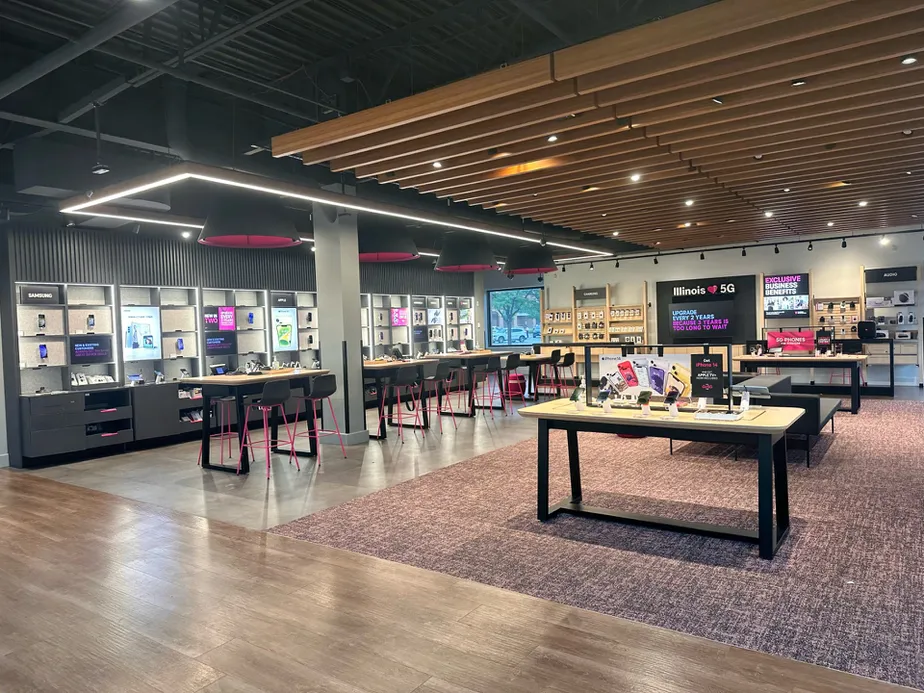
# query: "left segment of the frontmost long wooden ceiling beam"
484,88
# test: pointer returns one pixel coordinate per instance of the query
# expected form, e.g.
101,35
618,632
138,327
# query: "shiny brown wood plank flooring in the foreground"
102,594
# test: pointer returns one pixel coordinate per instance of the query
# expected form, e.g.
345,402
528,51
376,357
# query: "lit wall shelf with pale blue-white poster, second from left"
159,334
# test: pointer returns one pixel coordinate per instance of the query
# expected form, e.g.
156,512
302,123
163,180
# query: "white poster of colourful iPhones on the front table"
630,375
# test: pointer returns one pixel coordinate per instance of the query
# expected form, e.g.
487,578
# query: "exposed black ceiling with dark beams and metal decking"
241,71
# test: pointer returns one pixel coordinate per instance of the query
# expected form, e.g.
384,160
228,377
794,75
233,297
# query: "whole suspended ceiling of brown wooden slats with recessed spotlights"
773,119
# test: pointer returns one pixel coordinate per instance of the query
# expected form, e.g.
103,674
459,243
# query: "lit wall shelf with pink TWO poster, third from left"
235,326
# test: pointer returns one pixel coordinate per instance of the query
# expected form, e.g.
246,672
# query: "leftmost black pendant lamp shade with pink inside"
249,224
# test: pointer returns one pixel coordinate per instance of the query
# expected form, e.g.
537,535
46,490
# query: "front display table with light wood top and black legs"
763,428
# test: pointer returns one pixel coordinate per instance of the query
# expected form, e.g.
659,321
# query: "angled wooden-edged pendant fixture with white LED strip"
83,204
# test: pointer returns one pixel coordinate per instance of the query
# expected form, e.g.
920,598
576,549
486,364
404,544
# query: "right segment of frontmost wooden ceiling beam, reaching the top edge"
609,58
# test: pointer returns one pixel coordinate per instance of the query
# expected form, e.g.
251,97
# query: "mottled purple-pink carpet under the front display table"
845,591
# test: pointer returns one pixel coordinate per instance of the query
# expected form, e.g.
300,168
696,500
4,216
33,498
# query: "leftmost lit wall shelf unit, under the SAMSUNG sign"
65,337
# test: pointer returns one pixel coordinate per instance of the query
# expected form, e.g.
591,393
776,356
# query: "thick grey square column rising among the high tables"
337,262
